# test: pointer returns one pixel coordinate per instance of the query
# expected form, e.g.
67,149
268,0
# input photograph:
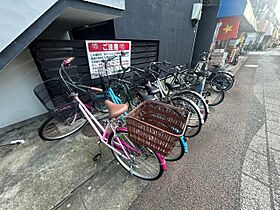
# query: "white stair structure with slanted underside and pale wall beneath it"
25,21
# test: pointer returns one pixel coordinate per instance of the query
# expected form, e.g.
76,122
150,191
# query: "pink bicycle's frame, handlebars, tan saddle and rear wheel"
138,160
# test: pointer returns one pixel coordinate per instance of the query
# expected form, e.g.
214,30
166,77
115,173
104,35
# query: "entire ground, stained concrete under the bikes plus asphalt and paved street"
233,164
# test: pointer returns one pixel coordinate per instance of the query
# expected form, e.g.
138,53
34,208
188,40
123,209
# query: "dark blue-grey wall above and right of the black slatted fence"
166,20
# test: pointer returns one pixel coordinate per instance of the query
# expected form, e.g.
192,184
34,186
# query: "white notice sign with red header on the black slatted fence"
102,50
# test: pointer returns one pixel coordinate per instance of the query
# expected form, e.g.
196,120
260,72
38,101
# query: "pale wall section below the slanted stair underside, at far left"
17,81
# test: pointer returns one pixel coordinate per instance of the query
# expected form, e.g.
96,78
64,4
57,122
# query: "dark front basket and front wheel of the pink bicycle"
64,117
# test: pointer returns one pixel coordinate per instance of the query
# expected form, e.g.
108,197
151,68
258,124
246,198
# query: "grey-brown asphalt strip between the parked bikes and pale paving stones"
210,176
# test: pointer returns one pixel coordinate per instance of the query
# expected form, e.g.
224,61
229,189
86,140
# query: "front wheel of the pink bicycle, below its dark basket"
66,121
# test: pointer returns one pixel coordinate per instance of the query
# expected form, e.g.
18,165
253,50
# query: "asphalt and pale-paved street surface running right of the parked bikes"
234,163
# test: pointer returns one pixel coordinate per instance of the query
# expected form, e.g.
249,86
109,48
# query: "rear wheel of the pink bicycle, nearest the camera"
142,163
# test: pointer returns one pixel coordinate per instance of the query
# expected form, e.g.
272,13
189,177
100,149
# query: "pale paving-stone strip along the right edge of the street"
260,179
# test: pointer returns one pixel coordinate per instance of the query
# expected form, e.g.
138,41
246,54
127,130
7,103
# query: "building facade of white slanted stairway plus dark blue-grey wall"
168,22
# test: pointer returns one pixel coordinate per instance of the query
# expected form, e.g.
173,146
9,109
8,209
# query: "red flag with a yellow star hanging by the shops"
229,28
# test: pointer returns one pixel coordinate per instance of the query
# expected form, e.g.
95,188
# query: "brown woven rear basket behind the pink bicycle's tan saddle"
157,125
